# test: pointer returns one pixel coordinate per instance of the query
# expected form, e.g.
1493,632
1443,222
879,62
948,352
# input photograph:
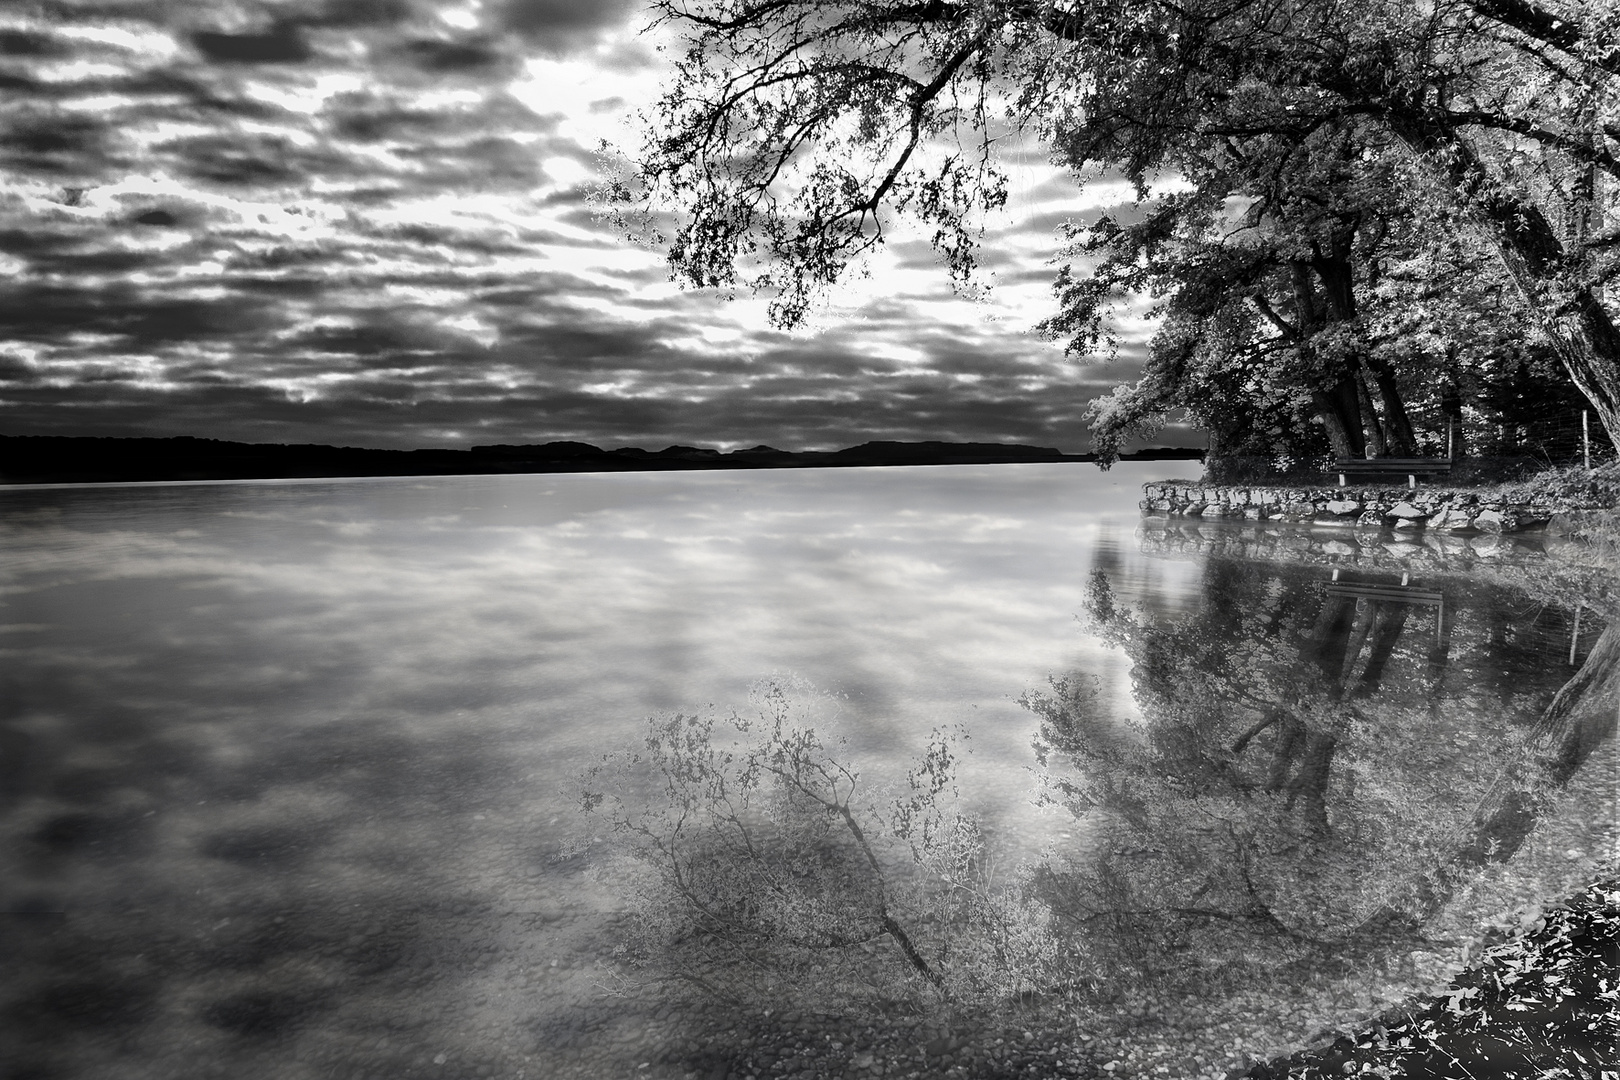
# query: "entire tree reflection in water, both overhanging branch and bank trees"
1321,760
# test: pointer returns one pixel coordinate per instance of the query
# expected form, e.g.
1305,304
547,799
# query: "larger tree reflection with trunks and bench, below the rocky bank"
1321,760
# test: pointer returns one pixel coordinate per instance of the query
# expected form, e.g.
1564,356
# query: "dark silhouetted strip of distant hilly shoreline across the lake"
101,461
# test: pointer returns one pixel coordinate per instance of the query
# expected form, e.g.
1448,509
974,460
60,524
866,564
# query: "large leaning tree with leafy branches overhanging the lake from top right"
795,130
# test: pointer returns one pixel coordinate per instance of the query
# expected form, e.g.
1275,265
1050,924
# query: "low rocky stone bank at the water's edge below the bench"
1399,509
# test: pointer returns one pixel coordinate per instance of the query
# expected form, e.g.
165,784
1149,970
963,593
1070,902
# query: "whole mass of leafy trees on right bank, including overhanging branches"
1362,221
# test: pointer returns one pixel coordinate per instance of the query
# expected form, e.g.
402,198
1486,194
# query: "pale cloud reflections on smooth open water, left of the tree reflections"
284,742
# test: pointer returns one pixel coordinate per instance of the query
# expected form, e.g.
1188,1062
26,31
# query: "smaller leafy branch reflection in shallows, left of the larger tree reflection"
752,853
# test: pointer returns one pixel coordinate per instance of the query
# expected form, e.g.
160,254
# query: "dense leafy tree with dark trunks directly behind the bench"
1269,266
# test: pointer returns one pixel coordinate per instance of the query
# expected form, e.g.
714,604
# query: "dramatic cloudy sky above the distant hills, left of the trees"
365,223
